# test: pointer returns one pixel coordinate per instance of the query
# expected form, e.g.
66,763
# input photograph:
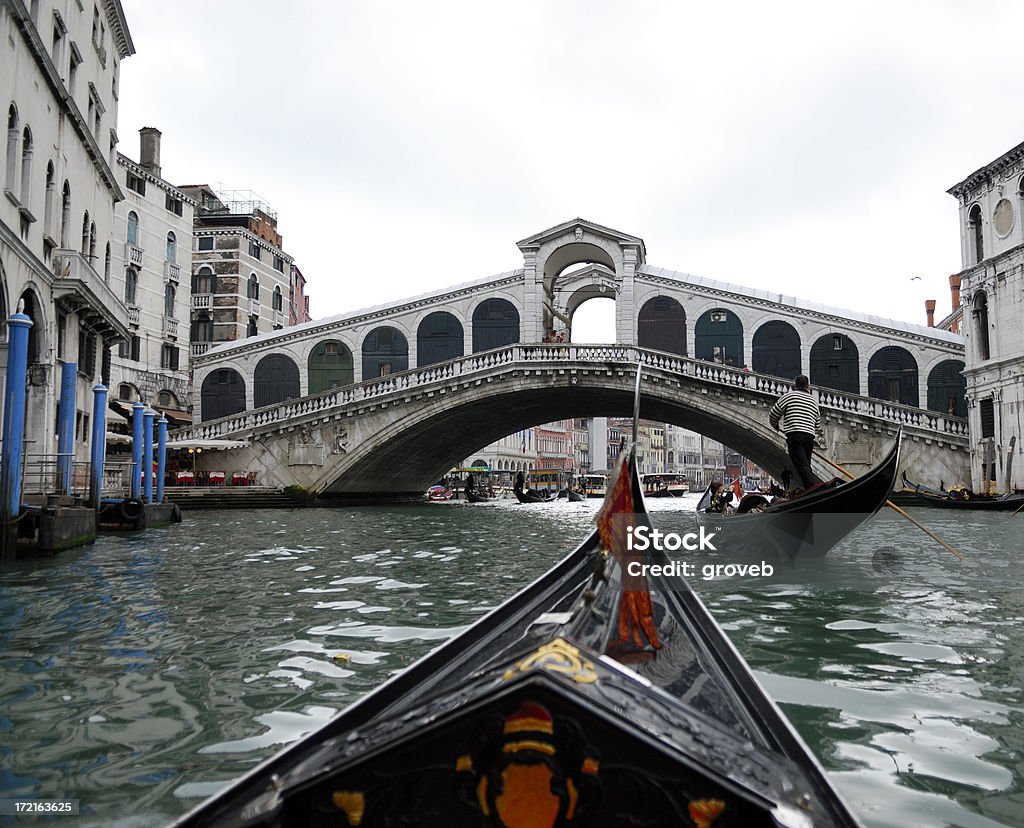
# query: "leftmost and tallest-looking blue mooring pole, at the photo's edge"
14,431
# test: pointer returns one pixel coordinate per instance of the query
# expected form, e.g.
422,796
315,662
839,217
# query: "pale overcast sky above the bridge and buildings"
408,147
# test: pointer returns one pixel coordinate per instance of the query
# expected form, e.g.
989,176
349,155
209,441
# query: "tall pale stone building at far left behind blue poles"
60,75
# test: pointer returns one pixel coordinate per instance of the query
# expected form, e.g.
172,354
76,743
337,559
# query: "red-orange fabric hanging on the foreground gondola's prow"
636,615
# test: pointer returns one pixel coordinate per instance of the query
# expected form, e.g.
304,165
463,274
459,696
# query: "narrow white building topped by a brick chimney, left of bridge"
152,248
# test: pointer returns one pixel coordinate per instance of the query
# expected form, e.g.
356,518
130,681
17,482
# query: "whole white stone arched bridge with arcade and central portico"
387,400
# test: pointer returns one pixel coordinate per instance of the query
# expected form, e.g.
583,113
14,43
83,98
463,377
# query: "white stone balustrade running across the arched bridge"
563,357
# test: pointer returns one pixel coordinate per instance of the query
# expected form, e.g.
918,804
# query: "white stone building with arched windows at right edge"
992,205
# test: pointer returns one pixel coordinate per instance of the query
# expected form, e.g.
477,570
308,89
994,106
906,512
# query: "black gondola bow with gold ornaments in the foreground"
593,698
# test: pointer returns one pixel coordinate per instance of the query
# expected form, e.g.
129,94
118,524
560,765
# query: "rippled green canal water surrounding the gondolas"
143,674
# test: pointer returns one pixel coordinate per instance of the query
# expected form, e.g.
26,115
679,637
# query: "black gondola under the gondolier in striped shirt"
808,526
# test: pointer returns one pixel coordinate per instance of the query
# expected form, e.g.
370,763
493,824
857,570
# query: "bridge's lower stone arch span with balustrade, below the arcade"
399,434
